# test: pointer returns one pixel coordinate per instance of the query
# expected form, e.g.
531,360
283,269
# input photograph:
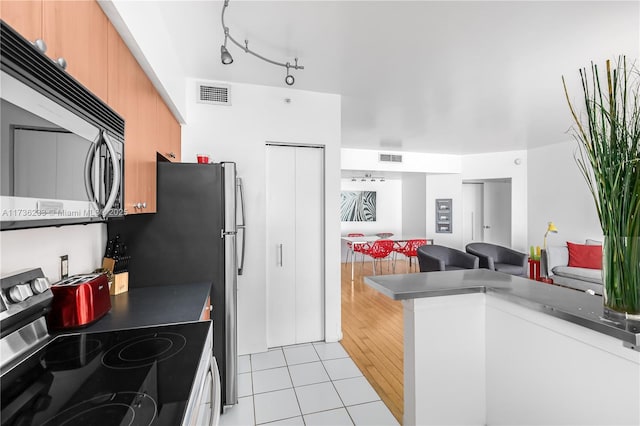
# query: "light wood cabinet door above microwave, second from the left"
77,31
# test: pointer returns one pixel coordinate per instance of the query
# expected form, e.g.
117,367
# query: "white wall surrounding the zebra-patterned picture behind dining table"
388,208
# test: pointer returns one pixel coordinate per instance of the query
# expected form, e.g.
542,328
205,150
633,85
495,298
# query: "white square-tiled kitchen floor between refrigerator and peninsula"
312,384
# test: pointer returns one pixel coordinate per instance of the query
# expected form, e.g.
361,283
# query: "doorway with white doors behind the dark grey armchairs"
486,211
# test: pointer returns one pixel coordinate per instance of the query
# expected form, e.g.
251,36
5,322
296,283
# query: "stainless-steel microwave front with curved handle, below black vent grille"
56,167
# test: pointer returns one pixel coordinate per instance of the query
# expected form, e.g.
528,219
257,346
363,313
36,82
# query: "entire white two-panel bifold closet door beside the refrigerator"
295,251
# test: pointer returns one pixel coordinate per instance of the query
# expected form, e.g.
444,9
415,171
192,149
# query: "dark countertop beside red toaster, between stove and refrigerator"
147,306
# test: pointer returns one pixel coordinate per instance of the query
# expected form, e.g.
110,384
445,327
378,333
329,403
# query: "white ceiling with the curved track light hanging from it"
427,76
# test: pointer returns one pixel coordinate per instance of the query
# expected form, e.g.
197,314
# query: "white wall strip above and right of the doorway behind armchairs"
499,165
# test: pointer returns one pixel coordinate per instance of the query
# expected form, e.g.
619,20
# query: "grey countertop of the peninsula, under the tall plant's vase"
568,304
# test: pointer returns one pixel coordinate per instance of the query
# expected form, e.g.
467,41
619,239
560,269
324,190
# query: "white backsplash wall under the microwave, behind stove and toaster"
42,248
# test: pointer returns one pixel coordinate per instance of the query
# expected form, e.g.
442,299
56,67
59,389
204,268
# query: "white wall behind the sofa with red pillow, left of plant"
559,193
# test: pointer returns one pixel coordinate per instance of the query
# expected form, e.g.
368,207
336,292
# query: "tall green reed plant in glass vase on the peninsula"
608,134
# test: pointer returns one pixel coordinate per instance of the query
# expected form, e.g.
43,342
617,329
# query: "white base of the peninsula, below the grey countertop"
477,359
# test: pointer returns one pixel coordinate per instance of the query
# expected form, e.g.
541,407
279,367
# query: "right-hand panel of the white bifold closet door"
309,245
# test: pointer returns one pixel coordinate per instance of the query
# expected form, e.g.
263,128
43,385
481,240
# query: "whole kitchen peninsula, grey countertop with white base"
482,347
